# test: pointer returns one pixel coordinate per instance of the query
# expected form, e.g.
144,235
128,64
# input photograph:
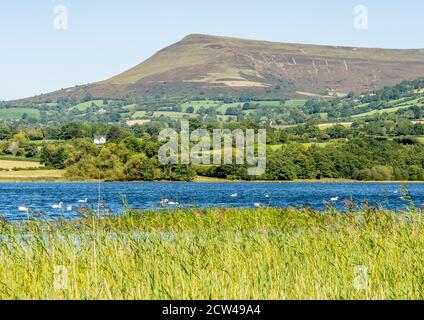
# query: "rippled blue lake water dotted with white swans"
40,197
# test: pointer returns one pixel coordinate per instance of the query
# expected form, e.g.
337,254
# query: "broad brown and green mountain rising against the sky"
220,66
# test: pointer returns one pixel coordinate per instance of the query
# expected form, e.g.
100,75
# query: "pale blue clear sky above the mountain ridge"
104,38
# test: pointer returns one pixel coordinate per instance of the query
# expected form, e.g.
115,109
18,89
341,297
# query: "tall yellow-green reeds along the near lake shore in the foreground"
216,254
